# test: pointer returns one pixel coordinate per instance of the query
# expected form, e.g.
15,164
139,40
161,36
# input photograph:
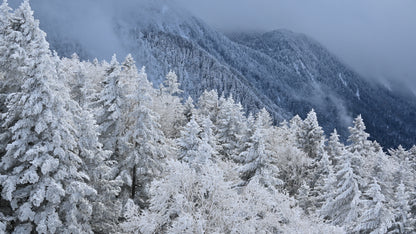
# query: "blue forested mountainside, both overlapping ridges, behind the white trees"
283,71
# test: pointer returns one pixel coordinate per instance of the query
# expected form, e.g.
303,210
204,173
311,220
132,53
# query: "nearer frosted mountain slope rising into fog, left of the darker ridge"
171,39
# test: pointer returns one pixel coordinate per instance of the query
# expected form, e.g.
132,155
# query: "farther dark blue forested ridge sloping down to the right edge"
323,82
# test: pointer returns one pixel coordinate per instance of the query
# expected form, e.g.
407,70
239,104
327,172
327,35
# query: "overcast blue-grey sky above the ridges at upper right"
376,37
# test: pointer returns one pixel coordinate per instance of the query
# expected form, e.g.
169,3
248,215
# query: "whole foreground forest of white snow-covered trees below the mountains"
93,147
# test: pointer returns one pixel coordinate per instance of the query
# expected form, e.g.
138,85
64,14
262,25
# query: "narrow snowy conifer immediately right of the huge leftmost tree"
101,172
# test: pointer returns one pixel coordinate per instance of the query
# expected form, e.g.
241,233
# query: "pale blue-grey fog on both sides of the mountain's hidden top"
375,37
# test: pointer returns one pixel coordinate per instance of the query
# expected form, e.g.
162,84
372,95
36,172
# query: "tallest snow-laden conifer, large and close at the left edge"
41,171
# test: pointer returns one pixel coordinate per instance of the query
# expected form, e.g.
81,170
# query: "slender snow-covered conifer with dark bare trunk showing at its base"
145,145
